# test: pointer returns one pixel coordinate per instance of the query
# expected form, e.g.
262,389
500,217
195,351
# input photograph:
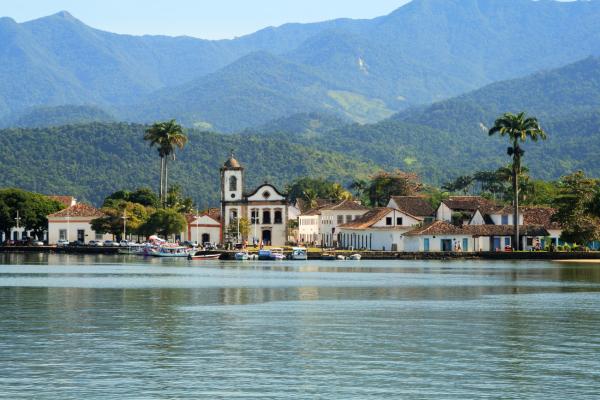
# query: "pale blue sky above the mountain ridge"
208,19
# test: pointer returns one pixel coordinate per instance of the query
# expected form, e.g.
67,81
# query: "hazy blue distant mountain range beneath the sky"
364,70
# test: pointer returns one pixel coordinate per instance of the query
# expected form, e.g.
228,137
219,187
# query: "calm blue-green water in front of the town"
103,327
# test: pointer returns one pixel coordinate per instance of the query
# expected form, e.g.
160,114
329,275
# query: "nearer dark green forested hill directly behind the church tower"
93,160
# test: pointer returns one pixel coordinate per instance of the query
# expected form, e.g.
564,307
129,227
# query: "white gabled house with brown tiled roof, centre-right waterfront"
379,229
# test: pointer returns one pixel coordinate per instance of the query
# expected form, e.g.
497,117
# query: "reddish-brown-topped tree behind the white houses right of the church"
384,185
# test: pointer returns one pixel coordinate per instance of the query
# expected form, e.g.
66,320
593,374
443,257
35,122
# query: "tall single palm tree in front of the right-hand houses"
518,128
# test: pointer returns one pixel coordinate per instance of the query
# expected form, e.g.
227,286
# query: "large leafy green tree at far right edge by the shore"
576,211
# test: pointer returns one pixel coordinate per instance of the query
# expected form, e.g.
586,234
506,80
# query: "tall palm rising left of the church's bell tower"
166,136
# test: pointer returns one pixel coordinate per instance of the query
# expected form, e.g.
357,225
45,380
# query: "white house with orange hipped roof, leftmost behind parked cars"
74,223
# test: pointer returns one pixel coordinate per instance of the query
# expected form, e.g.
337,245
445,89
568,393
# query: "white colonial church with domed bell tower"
265,208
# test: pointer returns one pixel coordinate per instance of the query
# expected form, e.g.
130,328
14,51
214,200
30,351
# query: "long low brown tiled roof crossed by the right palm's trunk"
445,228
